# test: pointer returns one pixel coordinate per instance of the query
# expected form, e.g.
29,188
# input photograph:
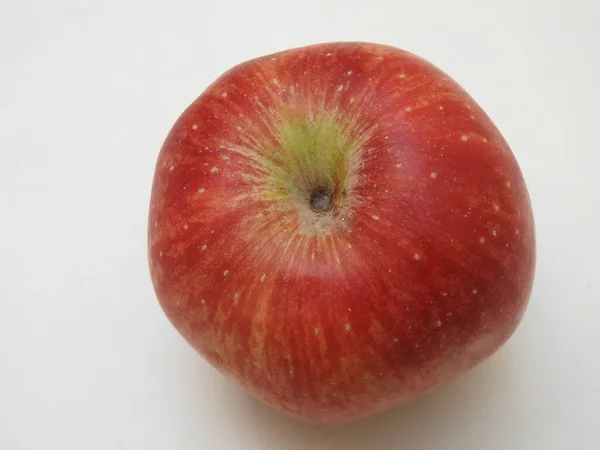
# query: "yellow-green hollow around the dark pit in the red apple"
312,172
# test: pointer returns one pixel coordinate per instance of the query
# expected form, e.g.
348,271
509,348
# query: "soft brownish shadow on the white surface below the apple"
435,420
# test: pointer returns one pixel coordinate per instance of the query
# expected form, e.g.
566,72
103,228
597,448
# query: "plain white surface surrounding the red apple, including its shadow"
88,92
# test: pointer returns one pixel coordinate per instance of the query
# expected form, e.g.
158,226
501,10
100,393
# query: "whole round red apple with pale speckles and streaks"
418,266
